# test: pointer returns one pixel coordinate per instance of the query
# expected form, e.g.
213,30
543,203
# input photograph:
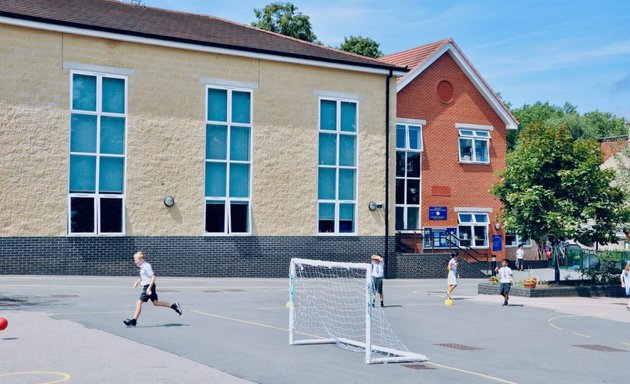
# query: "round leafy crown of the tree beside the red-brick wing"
553,188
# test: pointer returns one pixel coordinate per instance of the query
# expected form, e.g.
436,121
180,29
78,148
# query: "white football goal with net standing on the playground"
331,302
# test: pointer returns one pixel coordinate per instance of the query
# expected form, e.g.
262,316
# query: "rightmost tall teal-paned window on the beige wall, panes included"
337,166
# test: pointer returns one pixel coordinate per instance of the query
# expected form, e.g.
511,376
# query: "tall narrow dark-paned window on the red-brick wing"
408,176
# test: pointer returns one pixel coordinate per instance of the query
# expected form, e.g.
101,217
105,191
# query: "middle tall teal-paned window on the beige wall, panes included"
228,161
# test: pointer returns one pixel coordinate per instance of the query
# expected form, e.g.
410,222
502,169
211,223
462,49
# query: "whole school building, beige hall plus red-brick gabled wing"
223,150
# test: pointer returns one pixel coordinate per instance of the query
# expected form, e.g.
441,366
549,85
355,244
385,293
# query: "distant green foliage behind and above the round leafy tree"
591,125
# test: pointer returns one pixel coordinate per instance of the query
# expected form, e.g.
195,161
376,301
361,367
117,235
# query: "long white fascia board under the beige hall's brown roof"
191,47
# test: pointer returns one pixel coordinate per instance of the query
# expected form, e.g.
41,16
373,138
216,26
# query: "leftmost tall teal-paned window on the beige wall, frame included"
98,119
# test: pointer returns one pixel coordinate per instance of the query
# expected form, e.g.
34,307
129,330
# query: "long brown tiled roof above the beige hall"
123,18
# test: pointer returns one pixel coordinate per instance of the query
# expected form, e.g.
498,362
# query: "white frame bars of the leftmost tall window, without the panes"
97,196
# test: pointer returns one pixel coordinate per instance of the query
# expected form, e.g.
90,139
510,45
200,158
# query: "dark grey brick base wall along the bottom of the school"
199,256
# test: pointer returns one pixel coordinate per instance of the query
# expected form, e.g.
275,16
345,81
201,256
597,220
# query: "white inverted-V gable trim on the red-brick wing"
487,93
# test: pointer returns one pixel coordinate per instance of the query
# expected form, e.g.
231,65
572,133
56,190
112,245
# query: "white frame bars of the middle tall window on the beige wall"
227,199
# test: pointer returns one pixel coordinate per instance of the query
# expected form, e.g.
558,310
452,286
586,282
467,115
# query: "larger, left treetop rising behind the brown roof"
282,18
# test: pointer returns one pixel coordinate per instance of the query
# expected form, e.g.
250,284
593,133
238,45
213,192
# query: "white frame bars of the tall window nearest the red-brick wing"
338,132
